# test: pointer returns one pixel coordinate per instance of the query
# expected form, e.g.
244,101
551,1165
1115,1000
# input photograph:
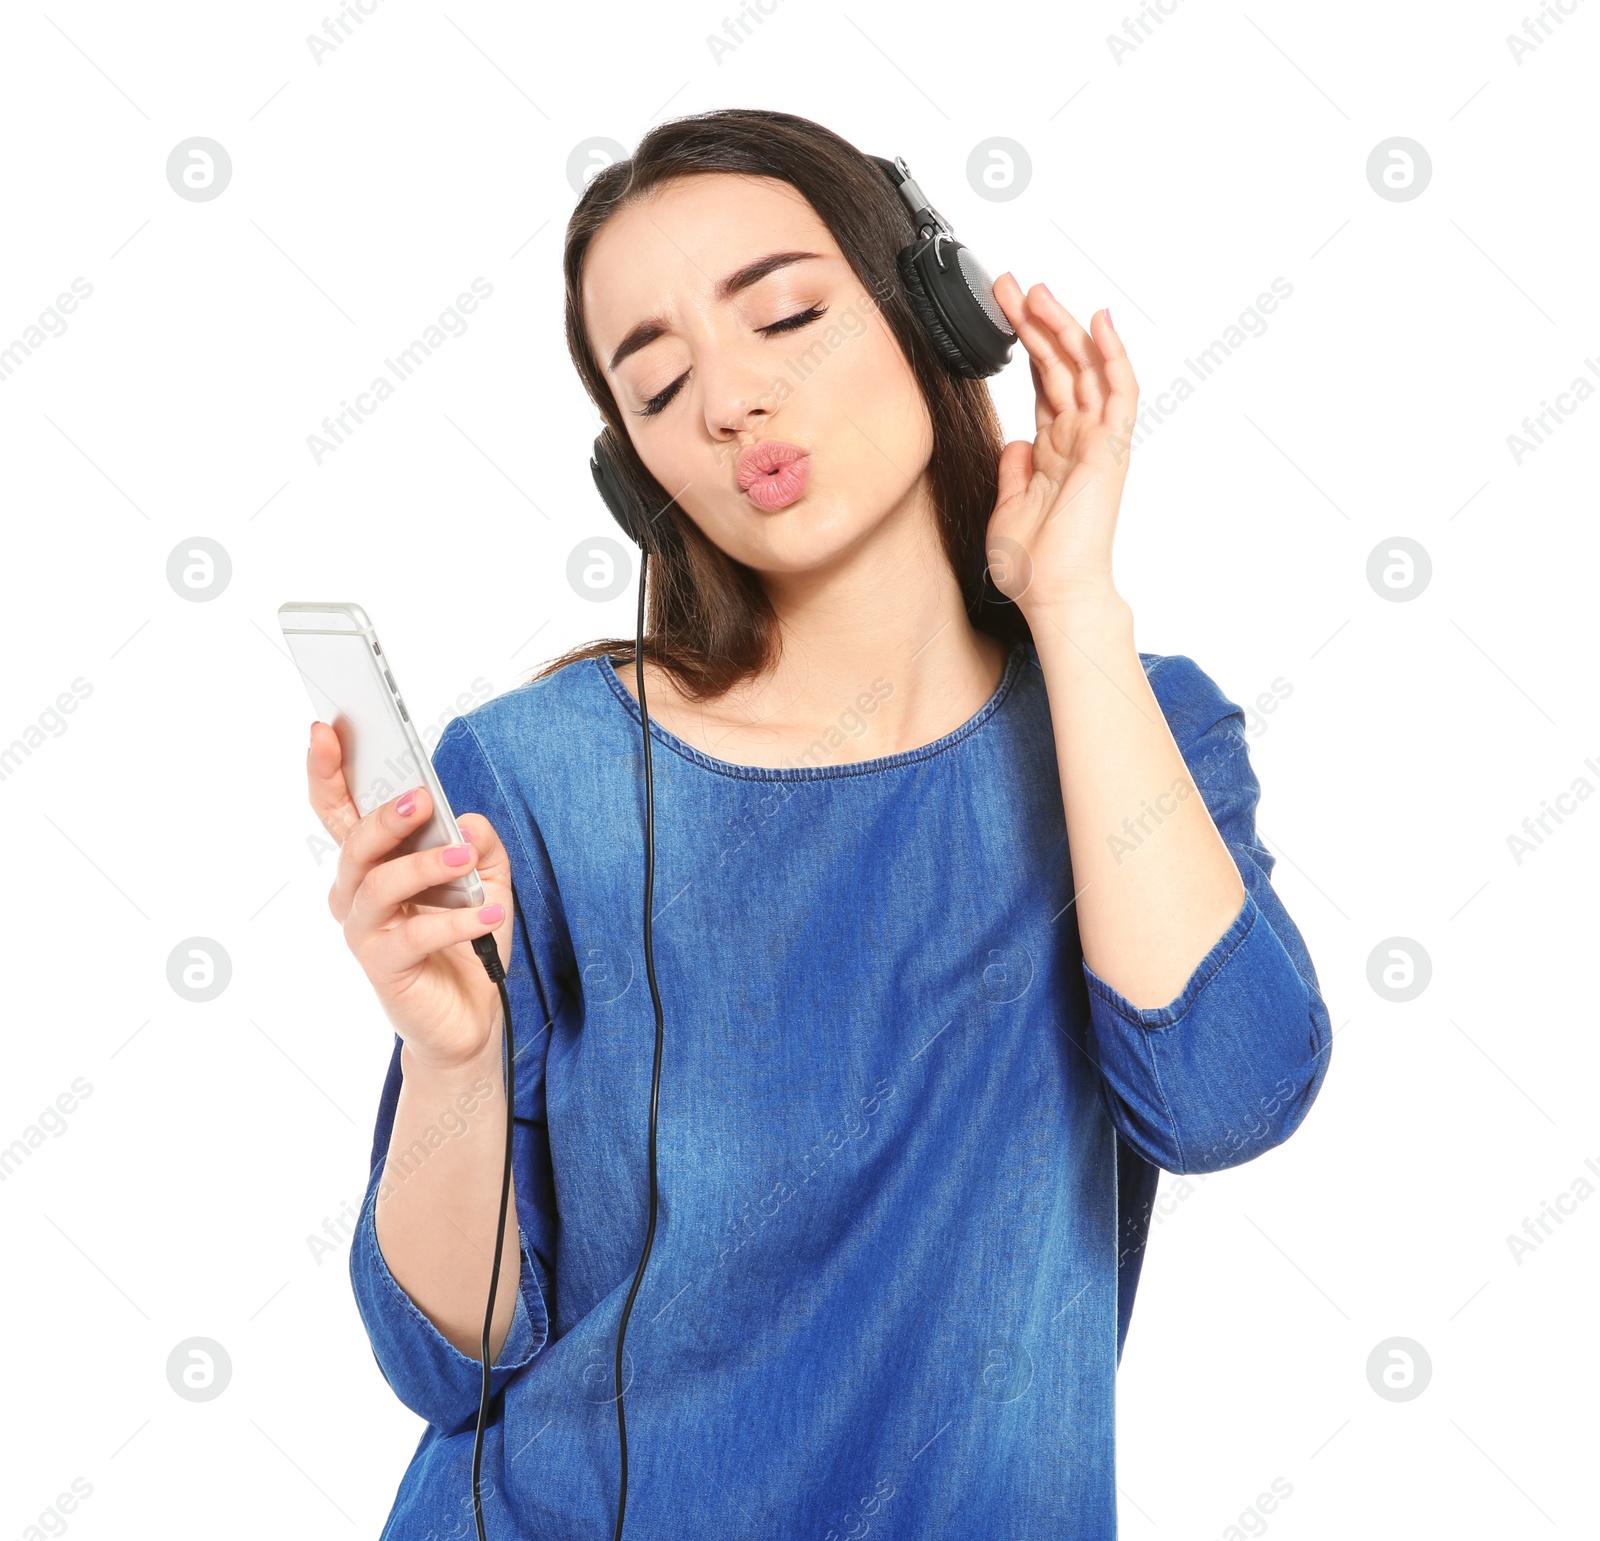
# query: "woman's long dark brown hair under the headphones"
708,622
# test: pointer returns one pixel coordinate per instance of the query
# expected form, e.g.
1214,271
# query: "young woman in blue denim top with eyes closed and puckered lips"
961,923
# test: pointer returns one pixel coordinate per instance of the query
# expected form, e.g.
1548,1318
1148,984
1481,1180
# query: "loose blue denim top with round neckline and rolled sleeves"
908,1140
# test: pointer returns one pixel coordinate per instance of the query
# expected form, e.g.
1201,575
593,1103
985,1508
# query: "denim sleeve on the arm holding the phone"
423,1367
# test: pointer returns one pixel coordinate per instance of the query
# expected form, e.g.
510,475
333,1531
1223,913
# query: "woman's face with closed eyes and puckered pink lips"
710,377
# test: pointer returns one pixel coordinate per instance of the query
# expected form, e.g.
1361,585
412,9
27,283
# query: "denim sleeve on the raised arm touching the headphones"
1231,1067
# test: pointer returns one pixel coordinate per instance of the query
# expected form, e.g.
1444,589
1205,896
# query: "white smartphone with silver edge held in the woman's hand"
354,690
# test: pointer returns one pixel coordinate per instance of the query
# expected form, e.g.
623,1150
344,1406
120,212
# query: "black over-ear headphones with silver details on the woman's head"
948,289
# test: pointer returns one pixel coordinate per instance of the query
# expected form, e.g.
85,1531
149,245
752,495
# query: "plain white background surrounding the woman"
431,150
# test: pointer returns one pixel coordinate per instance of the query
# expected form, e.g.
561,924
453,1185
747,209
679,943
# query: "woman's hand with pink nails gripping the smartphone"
418,958
